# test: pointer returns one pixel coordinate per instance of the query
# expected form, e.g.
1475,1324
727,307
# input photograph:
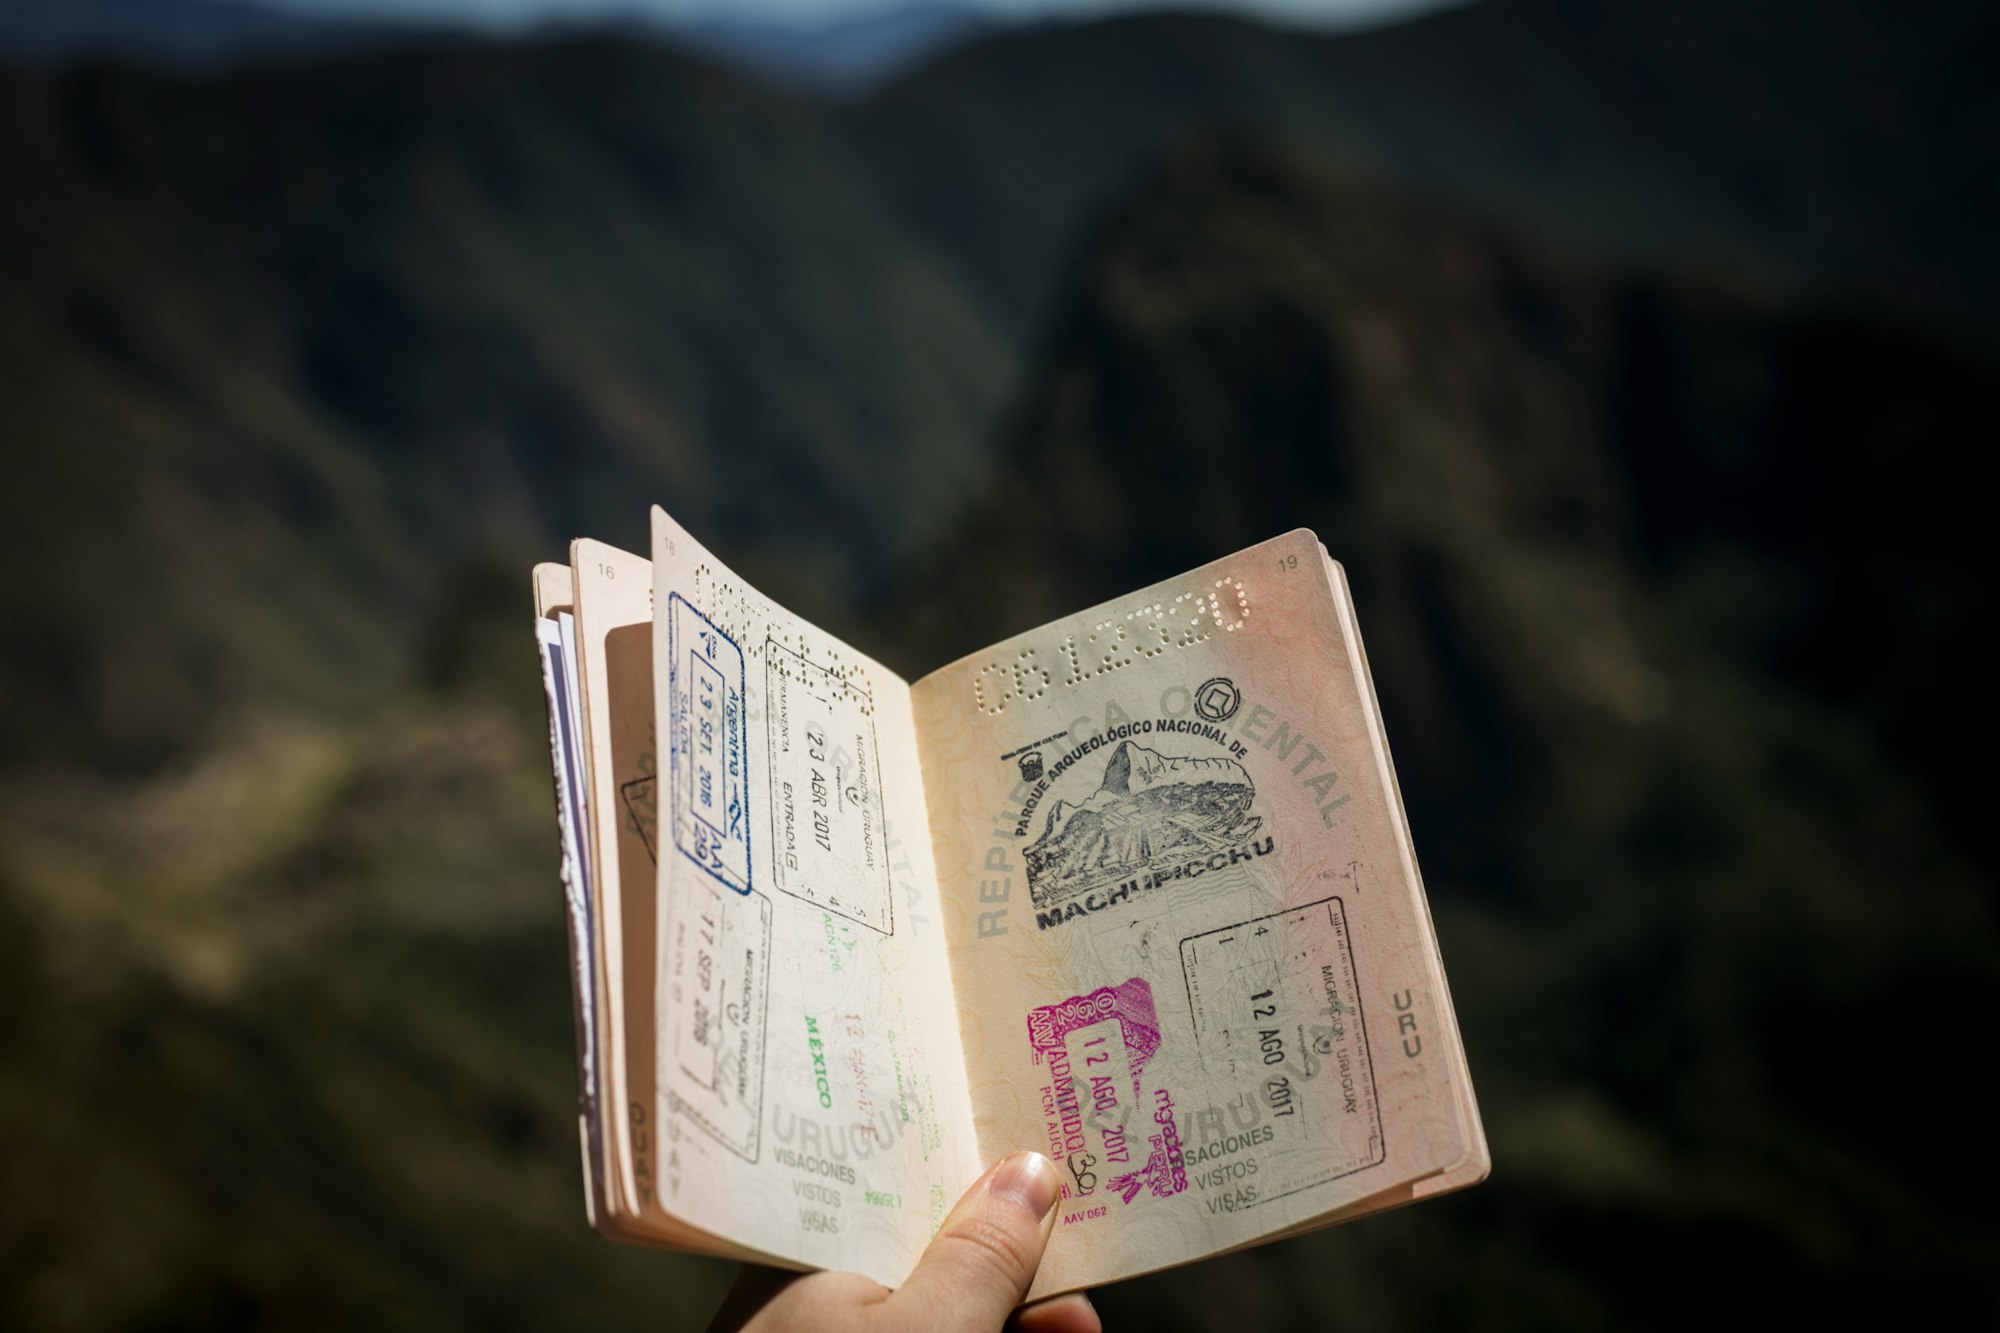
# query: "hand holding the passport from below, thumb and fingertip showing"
969,1282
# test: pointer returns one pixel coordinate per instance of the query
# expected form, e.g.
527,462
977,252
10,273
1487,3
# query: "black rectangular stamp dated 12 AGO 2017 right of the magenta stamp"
1279,1018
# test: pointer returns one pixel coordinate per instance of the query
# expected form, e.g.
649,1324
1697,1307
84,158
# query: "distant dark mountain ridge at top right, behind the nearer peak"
1843,145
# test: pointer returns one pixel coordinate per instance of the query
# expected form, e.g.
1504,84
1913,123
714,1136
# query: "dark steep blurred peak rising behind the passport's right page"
1675,619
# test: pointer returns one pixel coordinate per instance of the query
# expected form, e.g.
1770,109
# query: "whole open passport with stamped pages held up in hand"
1133,890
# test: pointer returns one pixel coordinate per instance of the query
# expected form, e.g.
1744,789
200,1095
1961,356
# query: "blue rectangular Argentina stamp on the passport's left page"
709,746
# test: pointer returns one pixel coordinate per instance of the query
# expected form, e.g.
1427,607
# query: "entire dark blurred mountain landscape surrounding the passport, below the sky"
1633,395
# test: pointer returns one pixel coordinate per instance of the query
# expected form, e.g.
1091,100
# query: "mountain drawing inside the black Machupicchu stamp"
1149,814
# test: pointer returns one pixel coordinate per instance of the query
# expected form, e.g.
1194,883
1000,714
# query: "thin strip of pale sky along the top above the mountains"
529,13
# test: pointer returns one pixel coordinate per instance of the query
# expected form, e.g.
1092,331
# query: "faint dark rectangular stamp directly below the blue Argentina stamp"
719,994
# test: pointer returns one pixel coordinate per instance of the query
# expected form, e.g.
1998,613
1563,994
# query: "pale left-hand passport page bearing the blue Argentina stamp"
809,1058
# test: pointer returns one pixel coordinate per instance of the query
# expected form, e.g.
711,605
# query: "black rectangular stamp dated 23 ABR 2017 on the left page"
829,844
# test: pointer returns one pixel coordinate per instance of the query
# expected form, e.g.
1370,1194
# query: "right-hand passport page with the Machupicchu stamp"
1185,918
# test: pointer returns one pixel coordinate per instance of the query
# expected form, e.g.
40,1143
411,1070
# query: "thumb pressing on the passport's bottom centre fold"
983,1260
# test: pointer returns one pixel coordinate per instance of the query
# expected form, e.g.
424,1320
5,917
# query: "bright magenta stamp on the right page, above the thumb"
1105,1122
